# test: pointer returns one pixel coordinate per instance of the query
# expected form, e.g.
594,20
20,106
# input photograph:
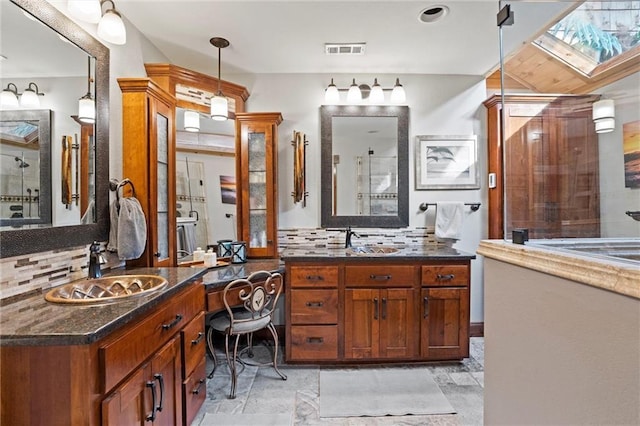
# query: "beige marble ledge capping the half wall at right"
617,277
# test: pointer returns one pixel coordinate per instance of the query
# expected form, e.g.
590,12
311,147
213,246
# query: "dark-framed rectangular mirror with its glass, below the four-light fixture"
365,170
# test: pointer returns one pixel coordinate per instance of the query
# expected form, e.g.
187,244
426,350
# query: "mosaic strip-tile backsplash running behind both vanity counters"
38,272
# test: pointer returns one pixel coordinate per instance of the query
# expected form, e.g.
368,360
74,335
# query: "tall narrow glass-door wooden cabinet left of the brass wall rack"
257,182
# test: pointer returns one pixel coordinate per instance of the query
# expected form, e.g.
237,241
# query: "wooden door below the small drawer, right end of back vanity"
445,323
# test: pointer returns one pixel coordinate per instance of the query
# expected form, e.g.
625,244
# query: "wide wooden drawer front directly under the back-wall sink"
379,276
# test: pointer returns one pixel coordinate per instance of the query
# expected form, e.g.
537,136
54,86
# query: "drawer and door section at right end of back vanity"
444,324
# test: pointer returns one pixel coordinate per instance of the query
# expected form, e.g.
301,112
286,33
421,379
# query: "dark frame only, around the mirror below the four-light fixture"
327,112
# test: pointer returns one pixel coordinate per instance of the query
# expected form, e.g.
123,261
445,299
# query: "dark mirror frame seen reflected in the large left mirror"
43,117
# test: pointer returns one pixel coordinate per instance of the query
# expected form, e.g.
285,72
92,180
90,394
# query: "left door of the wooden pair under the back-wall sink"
361,323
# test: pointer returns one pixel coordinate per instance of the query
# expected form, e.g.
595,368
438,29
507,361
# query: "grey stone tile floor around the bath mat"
264,399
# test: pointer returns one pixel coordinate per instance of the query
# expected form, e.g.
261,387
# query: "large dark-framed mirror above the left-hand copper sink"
54,192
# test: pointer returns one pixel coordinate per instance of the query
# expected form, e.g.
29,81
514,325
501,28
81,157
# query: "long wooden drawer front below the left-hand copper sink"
141,338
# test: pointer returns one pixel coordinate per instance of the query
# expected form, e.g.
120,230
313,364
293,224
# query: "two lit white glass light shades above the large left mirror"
110,25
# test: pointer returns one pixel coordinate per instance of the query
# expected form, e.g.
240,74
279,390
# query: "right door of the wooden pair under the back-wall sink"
398,333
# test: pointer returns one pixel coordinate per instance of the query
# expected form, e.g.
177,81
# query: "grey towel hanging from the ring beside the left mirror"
132,229
